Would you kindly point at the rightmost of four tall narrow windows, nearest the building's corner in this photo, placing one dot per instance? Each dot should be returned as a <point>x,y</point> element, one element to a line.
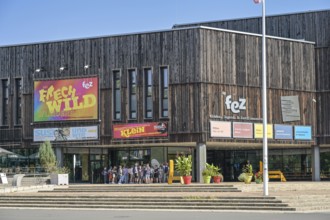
<point>164,92</point>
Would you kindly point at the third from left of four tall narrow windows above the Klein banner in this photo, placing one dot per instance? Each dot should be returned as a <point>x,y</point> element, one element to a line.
<point>147,93</point>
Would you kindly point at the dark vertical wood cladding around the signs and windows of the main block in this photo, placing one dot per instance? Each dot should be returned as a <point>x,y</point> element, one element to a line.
<point>202,63</point>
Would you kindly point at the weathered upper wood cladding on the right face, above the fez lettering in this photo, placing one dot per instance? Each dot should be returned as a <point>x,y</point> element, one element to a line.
<point>235,59</point>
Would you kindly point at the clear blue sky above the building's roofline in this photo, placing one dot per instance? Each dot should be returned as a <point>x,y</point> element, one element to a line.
<point>33,21</point>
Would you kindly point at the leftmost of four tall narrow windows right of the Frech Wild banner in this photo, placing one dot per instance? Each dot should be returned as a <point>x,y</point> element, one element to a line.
<point>116,95</point>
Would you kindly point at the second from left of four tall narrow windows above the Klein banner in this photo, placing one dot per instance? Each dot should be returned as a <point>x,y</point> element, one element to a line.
<point>132,88</point>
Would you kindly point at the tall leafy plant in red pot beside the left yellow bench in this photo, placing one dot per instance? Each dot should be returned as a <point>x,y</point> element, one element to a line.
<point>183,165</point>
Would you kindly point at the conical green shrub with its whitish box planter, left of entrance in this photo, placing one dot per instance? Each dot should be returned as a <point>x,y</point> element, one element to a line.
<point>58,175</point>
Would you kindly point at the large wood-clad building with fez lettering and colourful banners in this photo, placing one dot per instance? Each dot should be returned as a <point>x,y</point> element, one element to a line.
<point>193,89</point>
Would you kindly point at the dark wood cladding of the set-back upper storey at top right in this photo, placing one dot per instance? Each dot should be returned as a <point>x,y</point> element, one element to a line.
<point>311,26</point>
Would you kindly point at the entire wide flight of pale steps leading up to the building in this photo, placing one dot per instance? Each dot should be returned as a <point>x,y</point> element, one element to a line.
<point>147,197</point>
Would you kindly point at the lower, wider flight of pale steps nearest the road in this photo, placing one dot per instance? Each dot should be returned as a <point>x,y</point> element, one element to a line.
<point>96,202</point>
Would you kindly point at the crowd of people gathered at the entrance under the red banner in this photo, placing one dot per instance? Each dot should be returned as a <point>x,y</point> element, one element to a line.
<point>136,174</point>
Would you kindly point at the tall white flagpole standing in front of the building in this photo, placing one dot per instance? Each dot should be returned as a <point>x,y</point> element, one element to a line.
<point>264,101</point>
